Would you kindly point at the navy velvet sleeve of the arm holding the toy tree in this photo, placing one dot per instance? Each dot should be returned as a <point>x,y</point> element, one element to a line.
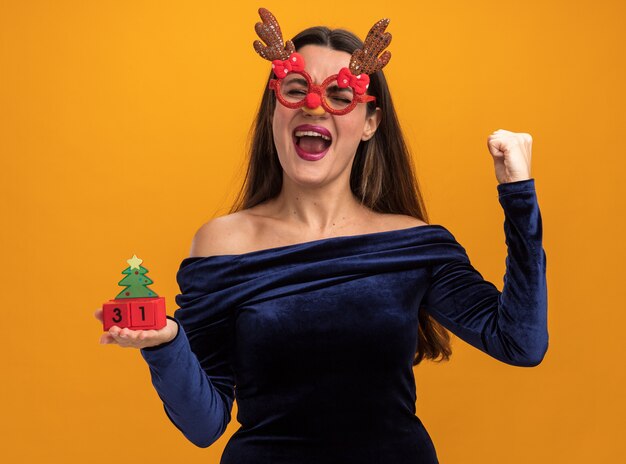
<point>193,373</point>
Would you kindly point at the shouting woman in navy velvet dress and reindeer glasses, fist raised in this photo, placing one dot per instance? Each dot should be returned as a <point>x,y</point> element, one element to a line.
<point>312,301</point>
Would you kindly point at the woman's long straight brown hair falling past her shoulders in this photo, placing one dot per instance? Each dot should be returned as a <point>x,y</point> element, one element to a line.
<point>382,175</point>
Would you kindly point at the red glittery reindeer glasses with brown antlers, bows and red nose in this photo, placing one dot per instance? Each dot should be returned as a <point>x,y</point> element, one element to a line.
<point>337,94</point>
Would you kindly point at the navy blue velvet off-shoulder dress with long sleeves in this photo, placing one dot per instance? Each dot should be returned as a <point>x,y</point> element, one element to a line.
<point>316,340</point>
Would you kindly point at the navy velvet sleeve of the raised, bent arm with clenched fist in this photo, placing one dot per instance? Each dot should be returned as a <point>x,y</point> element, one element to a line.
<point>511,325</point>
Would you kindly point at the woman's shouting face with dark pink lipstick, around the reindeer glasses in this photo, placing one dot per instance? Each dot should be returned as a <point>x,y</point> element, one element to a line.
<point>307,158</point>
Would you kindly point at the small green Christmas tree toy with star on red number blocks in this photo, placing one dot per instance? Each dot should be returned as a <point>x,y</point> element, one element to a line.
<point>137,306</point>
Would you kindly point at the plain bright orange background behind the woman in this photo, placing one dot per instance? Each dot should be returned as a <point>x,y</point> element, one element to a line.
<point>122,130</point>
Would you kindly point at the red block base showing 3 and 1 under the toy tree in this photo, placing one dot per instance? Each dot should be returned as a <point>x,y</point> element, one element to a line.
<point>134,313</point>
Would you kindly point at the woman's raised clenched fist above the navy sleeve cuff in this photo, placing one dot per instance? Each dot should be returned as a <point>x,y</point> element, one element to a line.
<point>511,153</point>
